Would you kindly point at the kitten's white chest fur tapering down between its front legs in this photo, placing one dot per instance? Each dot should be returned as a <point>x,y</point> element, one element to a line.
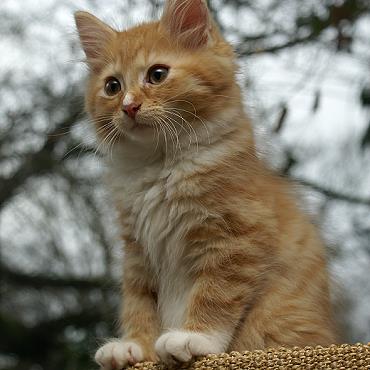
<point>158,223</point>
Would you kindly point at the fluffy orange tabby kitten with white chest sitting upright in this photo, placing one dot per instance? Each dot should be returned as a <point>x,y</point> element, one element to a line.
<point>218,257</point>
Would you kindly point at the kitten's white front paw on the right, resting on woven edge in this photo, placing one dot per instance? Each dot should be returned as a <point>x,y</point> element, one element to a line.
<point>183,346</point>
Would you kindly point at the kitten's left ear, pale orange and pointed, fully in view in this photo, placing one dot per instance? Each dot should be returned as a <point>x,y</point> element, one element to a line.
<point>95,35</point>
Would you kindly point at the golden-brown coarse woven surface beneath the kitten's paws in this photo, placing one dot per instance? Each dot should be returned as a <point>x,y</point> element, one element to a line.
<point>339,357</point>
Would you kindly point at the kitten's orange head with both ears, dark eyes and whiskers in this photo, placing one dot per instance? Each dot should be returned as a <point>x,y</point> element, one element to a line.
<point>164,78</point>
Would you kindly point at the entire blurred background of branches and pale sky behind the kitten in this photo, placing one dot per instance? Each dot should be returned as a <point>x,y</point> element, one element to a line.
<point>305,70</point>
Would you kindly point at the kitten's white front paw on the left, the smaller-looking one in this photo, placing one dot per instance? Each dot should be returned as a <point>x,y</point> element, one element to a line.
<point>115,355</point>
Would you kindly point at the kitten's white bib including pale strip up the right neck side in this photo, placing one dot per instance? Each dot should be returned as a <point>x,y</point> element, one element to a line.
<point>150,192</point>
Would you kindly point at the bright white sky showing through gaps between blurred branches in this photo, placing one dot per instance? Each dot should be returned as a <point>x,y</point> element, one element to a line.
<point>326,141</point>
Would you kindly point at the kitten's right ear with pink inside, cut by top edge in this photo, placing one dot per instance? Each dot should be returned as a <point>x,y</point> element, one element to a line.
<point>188,20</point>
